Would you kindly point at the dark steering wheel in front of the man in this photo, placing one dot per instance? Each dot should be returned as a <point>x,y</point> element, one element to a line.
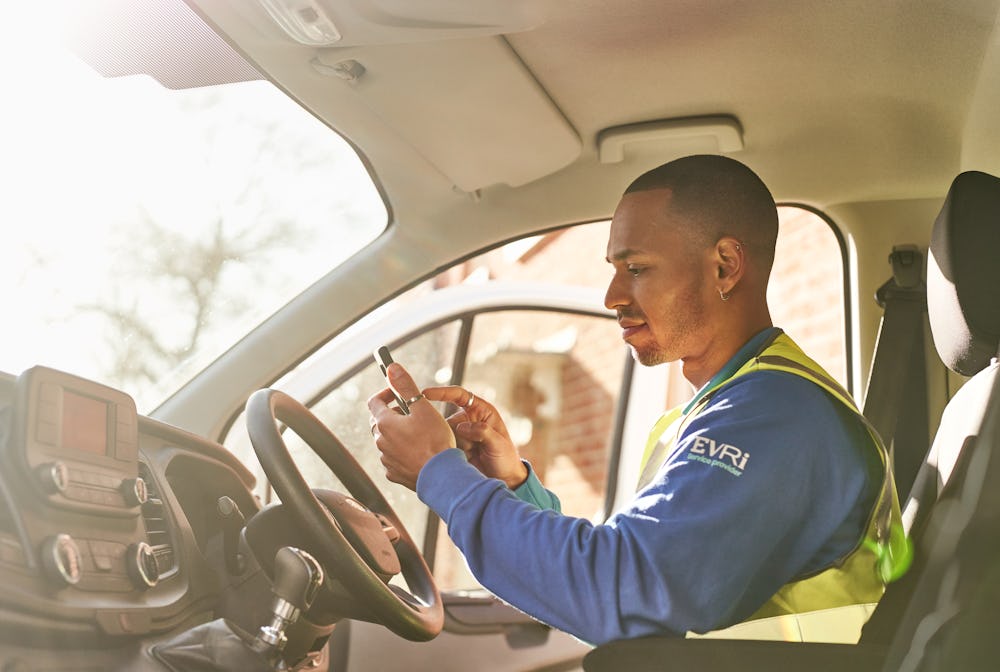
<point>352,547</point>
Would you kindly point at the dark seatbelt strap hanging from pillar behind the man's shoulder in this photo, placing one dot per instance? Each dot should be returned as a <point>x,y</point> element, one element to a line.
<point>896,399</point>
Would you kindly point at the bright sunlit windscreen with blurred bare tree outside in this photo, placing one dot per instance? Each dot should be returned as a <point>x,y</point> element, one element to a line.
<point>146,228</point>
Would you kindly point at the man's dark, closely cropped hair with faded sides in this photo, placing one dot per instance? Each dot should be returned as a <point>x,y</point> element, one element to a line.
<point>720,197</point>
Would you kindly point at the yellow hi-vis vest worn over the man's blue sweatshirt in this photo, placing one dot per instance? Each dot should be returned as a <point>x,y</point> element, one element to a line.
<point>832,604</point>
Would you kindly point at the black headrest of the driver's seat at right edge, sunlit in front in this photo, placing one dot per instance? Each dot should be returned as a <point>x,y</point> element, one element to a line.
<point>963,276</point>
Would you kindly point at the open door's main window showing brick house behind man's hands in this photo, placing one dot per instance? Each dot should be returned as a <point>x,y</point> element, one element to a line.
<point>556,378</point>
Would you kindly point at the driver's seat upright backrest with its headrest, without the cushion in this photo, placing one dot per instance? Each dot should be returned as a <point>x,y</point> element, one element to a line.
<point>955,526</point>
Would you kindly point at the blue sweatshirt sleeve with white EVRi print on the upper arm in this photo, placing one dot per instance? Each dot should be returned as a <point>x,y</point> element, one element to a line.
<point>768,481</point>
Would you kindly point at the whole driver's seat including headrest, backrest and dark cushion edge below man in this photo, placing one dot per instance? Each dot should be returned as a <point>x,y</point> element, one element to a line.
<point>963,297</point>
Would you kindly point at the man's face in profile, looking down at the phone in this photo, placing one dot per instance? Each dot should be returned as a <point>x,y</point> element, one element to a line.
<point>662,283</point>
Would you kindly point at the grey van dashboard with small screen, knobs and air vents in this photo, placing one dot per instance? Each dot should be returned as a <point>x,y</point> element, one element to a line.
<point>116,530</point>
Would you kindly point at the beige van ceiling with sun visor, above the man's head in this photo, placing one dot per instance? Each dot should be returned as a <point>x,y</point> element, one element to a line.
<point>836,102</point>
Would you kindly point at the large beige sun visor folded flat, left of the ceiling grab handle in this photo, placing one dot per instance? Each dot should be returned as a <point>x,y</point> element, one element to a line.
<point>425,91</point>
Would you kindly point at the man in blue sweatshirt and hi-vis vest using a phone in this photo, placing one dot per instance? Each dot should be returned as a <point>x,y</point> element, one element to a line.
<point>766,495</point>
